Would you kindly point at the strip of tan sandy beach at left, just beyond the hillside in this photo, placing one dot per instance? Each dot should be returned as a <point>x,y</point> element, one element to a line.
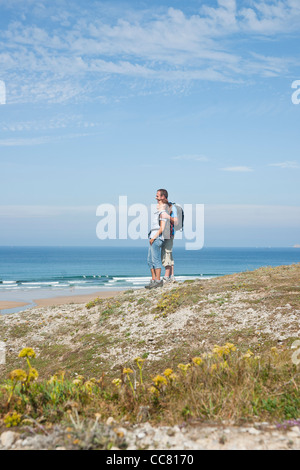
<point>54,301</point>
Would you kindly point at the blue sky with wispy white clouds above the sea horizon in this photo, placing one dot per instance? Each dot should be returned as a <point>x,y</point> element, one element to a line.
<point>102,99</point>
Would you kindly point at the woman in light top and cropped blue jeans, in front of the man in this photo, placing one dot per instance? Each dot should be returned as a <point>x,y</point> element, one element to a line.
<point>156,238</point>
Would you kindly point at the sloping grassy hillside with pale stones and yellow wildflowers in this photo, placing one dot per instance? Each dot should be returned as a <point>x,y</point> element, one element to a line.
<point>230,336</point>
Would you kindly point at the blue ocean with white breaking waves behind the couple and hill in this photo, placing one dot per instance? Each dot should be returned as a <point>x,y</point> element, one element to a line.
<point>28,273</point>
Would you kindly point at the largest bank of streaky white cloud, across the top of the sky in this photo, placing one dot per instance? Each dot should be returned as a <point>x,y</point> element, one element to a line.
<point>51,57</point>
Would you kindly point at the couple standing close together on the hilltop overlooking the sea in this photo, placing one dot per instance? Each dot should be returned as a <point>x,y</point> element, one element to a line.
<point>161,238</point>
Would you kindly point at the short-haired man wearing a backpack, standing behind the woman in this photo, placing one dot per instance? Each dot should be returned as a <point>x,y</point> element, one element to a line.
<point>169,233</point>
